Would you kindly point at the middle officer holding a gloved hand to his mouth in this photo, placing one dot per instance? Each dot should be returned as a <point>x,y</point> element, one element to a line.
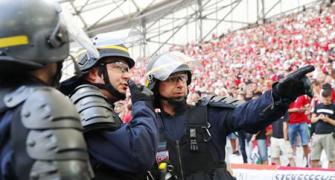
<point>117,151</point>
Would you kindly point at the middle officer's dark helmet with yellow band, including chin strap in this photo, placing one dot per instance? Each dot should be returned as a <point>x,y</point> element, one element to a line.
<point>87,62</point>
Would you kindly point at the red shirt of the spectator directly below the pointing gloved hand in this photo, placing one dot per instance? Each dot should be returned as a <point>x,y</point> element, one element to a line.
<point>299,117</point>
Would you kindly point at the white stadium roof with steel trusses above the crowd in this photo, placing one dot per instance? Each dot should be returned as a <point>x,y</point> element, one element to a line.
<point>152,26</point>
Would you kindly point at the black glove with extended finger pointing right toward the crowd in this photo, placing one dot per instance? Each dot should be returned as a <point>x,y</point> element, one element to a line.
<point>293,85</point>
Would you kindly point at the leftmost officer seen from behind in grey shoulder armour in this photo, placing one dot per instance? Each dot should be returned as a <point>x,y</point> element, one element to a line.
<point>40,131</point>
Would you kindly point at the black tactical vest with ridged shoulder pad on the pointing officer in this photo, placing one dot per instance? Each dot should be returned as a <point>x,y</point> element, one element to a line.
<point>195,145</point>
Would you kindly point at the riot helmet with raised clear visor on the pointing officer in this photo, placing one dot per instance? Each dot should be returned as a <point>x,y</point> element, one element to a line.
<point>161,67</point>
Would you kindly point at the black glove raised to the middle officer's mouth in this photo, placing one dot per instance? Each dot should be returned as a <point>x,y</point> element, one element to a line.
<point>140,93</point>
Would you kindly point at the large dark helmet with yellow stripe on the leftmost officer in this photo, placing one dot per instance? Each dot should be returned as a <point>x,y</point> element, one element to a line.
<point>32,35</point>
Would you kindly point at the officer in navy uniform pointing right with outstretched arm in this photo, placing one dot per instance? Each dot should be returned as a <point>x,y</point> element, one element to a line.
<point>194,137</point>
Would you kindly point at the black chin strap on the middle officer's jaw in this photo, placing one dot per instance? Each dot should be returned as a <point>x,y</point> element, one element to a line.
<point>108,85</point>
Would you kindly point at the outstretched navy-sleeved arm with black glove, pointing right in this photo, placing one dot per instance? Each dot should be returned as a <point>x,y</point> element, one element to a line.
<point>257,114</point>
